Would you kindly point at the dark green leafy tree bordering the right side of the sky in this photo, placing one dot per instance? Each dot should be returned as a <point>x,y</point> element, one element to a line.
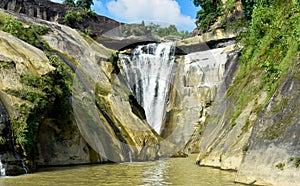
<point>209,12</point>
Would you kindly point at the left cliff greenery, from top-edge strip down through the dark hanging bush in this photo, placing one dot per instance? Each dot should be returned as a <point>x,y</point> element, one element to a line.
<point>45,96</point>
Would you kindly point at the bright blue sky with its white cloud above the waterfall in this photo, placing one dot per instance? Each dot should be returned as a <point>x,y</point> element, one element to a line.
<point>181,13</point>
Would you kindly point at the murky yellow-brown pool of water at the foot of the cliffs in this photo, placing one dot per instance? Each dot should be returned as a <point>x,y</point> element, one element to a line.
<point>179,171</point>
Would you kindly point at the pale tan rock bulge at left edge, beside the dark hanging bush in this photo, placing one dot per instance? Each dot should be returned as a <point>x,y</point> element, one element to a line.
<point>16,58</point>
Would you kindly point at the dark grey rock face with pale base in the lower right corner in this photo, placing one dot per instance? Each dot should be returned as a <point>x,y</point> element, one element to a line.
<point>273,156</point>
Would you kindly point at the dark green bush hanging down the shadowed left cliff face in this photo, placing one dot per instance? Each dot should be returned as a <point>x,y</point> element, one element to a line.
<point>44,96</point>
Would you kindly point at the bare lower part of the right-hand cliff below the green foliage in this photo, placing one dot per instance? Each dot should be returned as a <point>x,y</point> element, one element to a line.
<point>259,139</point>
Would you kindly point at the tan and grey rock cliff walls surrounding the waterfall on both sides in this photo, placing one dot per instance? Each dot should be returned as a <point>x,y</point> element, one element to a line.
<point>233,121</point>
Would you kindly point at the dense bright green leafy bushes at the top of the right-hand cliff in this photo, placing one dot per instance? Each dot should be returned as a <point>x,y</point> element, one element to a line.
<point>273,32</point>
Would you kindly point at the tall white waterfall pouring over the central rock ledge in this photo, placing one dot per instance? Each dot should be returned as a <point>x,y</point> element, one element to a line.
<point>148,72</point>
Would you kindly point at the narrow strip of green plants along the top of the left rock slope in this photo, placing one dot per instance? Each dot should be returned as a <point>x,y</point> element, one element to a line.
<point>26,32</point>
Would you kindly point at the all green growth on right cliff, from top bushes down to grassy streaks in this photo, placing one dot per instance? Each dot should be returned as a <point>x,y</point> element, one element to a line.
<point>270,50</point>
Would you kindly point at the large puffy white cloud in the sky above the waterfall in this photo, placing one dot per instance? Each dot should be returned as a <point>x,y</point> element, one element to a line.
<point>164,12</point>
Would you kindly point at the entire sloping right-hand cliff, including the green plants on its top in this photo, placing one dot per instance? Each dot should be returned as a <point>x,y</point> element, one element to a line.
<point>252,127</point>
